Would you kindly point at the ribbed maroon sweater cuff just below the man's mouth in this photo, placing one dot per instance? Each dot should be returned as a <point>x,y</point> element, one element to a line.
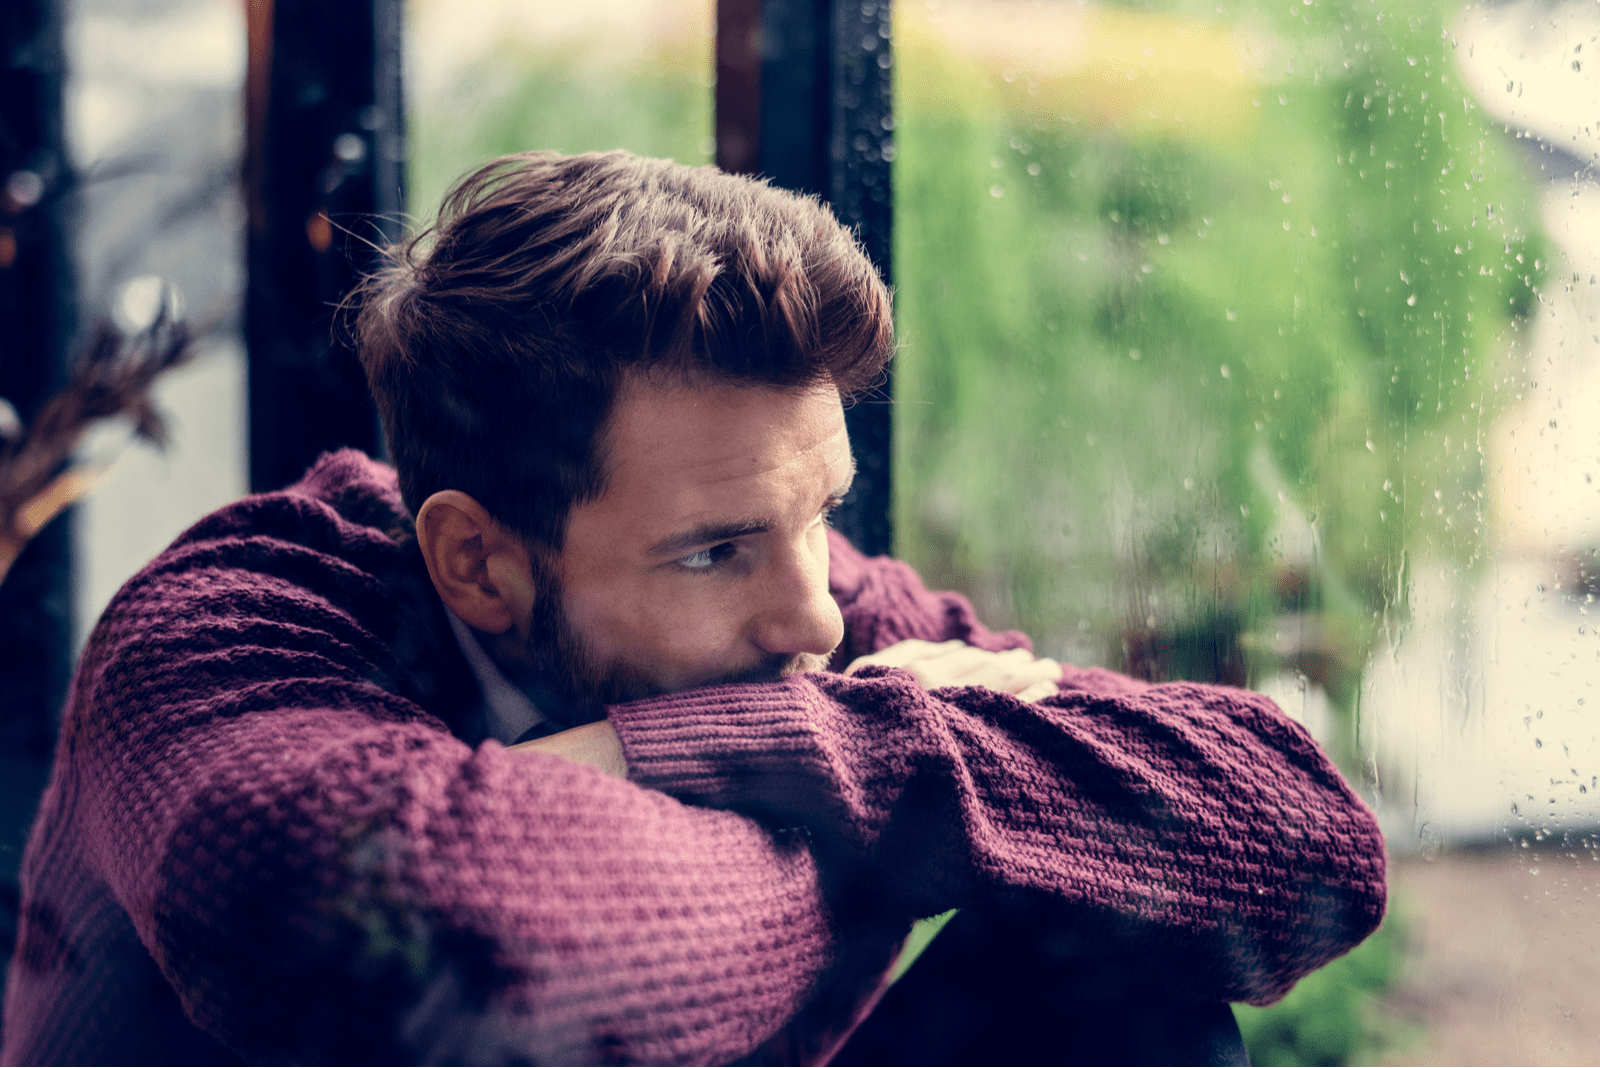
<point>730,747</point>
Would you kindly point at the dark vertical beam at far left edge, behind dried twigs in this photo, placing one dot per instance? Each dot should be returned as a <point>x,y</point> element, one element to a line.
<point>36,327</point>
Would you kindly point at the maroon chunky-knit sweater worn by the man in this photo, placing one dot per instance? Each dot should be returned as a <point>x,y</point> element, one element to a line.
<point>274,831</point>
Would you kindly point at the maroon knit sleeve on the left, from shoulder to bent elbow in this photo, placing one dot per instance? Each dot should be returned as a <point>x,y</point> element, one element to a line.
<point>324,874</point>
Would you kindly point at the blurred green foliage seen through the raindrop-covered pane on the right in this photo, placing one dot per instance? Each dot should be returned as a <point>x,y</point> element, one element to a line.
<point>1161,386</point>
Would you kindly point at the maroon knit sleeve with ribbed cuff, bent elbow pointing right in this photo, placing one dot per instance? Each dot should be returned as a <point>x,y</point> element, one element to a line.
<point>1193,829</point>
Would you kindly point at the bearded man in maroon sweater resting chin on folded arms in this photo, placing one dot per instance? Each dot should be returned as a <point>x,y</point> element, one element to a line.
<point>569,770</point>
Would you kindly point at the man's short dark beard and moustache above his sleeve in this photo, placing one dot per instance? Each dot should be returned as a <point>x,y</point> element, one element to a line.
<point>572,685</point>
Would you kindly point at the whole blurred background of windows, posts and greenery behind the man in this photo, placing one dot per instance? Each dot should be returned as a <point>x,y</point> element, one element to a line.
<point>1250,341</point>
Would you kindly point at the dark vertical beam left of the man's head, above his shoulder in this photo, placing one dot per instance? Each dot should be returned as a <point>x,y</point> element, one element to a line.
<point>326,146</point>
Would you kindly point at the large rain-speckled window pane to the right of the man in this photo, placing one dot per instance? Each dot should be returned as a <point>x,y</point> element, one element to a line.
<point>1257,343</point>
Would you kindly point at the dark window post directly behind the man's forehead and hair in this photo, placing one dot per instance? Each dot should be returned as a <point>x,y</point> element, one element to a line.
<point>807,82</point>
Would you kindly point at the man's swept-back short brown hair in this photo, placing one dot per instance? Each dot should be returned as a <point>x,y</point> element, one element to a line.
<point>497,340</point>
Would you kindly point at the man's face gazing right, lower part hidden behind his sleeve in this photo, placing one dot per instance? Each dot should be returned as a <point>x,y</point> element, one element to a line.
<point>706,559</point>
